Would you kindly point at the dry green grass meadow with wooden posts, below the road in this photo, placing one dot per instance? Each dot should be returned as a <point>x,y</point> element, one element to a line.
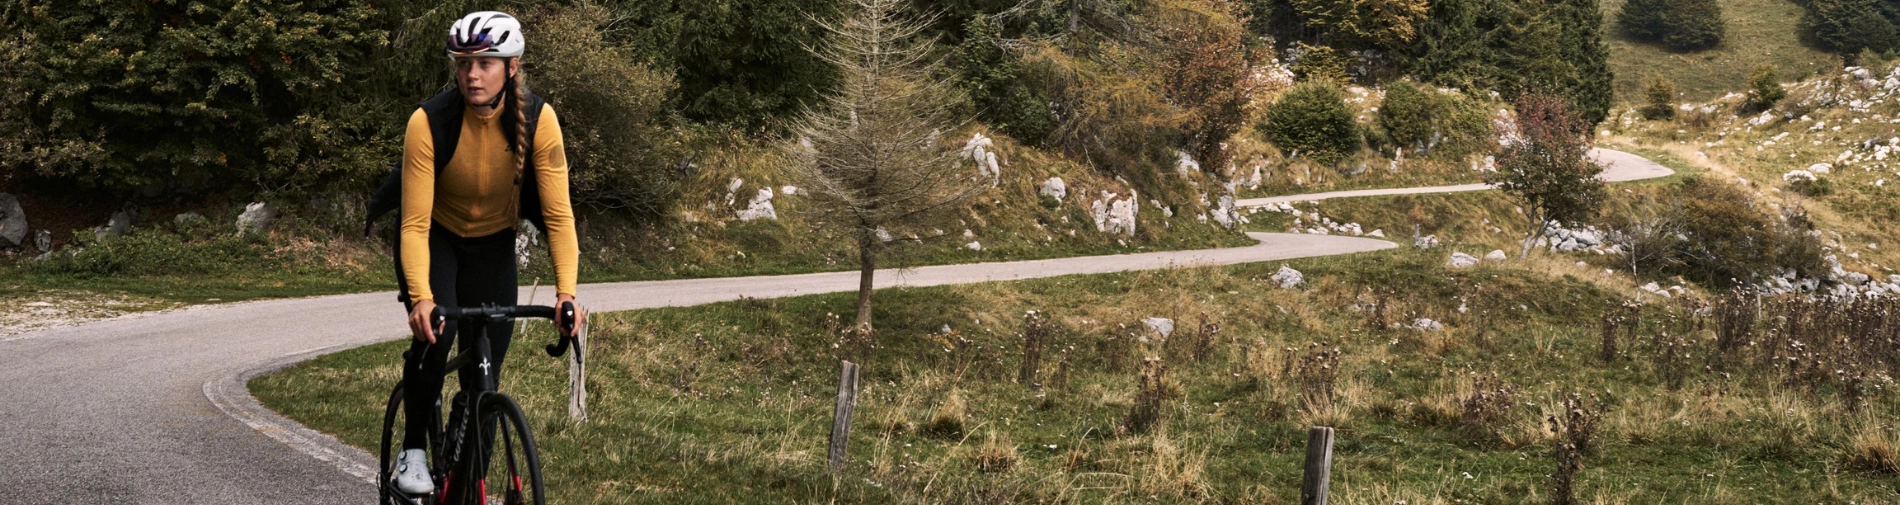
<point>731,403</point>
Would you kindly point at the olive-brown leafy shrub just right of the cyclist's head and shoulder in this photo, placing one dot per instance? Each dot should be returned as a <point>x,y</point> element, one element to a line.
<point>615,143</point>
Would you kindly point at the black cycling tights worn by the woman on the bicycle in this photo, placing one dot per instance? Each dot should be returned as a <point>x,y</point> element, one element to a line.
<point>463,274</point>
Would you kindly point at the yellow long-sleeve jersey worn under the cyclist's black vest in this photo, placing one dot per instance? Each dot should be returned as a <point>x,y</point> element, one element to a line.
<point>470,198</point>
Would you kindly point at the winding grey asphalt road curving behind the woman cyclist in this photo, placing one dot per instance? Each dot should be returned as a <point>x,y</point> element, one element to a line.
<point>153,409</point>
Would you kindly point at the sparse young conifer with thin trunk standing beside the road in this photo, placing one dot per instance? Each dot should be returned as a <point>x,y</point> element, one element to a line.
<point>873,155</point>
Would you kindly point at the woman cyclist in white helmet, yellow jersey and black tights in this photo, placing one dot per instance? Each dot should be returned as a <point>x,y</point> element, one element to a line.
<point>461,214</point>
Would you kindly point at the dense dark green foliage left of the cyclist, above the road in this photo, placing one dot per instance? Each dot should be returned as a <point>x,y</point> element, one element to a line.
<point>199,96</point>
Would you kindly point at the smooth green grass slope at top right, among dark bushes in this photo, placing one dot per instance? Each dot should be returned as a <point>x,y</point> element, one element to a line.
<point>1760,31</point>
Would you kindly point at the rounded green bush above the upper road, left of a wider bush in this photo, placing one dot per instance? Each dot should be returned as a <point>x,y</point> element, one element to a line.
<point>1314,121</point>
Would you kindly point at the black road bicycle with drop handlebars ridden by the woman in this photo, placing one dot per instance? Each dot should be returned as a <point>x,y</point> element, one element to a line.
<point>463,458</point>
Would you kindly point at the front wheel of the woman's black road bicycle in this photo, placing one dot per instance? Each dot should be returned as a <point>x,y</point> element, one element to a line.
<point>506,468</point>
